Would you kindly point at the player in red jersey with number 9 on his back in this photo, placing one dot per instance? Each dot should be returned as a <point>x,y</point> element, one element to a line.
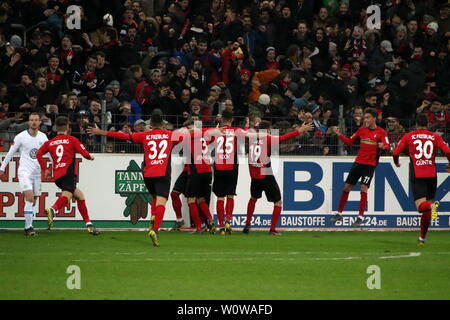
<point>62,149</point>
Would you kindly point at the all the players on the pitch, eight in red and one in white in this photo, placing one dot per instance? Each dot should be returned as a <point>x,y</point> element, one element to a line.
<point>222,168</point>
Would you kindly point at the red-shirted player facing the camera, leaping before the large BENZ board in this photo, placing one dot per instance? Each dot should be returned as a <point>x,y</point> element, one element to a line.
<point>372,140</point>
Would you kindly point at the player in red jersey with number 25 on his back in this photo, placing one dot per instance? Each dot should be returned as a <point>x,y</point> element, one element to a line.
<point>226,169</point>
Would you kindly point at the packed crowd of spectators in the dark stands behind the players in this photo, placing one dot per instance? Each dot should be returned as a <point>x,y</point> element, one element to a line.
<point>287,61</point>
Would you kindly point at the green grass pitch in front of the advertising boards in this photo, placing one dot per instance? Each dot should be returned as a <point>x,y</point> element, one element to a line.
<point>297,265</point>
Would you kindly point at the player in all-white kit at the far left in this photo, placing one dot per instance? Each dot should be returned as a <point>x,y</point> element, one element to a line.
<point>28,143</point>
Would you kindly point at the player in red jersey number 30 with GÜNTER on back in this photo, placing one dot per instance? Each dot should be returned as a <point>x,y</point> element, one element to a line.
<point>422,145</point>
